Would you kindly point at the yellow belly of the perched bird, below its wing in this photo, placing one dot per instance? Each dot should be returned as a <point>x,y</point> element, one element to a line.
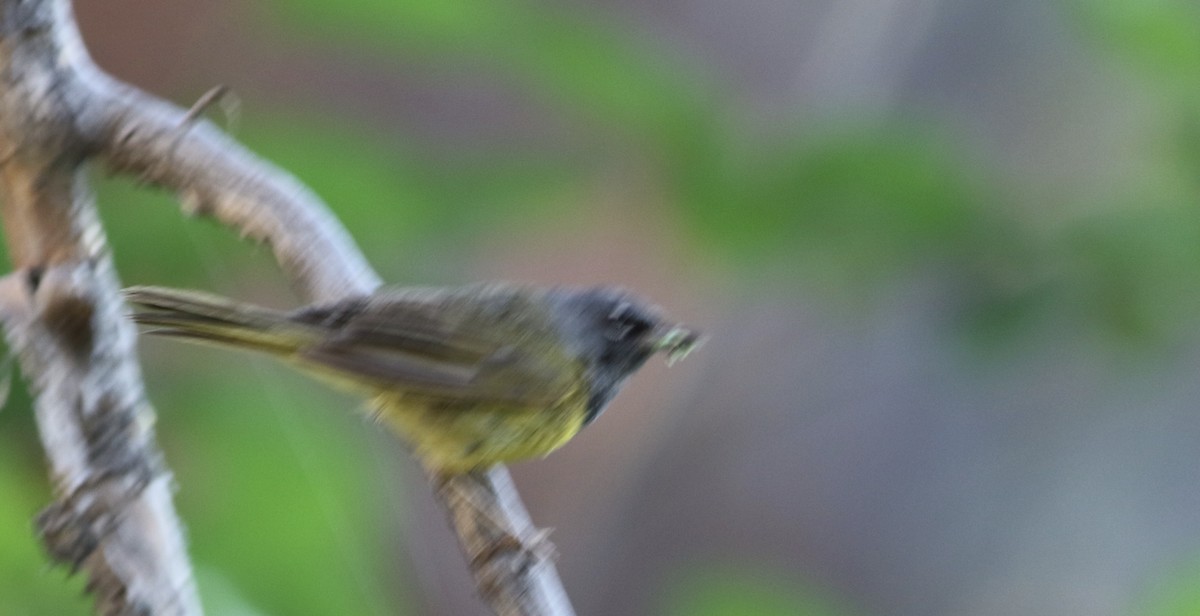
<point>465,436</point>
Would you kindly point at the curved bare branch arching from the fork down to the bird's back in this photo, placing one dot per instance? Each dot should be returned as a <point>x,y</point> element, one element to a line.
<point>217,177</point>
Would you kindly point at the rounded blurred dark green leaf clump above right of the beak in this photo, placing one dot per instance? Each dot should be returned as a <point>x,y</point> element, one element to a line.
<point>867,201</point>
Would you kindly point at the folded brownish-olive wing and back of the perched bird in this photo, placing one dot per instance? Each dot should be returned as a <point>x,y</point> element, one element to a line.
<point>447,349</point>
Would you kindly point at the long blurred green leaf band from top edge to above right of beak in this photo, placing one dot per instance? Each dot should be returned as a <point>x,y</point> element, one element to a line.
<point>862,199</point>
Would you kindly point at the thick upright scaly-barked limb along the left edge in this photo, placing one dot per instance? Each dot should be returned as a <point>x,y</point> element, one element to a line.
<point>62,312</point>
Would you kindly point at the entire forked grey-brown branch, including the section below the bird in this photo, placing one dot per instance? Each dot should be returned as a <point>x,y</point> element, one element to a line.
<point>56,229</point>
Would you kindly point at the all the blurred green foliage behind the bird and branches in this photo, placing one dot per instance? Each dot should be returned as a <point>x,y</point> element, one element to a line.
<point>283,499</point>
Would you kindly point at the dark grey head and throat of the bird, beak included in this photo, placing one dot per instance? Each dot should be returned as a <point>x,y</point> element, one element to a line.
<point>615,333</point>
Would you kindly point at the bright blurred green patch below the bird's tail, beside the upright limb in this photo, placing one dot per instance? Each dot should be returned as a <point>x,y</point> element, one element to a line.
<point>278,489</point>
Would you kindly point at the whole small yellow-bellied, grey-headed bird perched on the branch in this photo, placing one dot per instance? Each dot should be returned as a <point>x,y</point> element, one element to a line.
<point>470,378</point>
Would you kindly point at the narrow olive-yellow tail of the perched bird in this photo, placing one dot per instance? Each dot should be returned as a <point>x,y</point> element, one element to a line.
<point>202,318</point>
